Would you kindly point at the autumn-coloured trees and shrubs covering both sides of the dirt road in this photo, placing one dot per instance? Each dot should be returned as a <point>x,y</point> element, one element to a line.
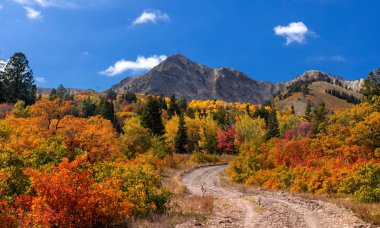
<point>105,159</point>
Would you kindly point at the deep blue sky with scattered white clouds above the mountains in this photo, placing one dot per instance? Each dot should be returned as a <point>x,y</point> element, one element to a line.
<point>95,44</point>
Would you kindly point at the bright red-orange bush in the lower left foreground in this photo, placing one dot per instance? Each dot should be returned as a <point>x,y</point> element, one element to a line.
<point>69,196</point>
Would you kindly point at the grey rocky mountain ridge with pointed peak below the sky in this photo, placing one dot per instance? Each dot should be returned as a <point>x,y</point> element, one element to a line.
<point>182,77</point>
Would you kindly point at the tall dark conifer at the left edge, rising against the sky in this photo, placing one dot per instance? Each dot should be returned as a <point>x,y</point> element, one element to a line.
<point>17,81</point>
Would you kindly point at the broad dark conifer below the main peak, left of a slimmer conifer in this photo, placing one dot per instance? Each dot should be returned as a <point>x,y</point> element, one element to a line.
<point>151,116</point>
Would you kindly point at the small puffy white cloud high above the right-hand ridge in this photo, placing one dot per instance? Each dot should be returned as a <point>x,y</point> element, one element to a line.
<point>293,32</point>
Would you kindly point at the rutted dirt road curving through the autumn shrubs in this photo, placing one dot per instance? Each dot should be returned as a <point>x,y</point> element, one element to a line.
<point>233,208</point>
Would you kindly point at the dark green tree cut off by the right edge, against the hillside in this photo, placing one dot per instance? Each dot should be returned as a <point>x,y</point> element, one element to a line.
<point>371,86</point>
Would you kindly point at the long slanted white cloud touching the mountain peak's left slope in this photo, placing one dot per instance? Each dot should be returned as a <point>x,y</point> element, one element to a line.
<point>141,64</point>
